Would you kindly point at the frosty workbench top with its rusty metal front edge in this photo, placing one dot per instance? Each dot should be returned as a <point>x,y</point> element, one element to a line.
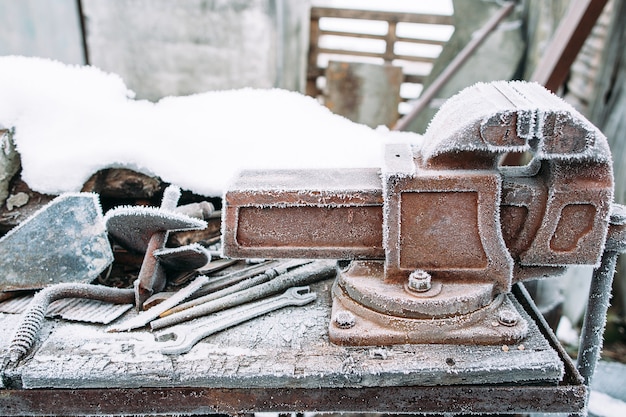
<point>283,362</point>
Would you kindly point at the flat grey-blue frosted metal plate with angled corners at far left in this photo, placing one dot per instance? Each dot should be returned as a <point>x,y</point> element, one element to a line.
<point>65,241</point>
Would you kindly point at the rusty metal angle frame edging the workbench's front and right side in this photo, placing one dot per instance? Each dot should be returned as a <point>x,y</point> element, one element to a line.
<point>566,397</point>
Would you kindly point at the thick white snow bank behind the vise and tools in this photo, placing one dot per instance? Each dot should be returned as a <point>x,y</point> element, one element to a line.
<point>71,121</point>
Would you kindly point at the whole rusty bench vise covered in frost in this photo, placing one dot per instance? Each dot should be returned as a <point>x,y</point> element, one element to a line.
<point>438,236</point>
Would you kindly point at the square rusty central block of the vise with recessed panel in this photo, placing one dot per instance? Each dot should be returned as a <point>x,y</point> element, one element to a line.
<point>427,214</point>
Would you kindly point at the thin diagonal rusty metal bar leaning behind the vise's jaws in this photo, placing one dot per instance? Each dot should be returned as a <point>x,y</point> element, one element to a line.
<point>430,92</point>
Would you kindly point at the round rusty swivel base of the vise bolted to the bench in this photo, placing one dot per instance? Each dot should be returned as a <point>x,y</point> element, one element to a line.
<point>461,313</point>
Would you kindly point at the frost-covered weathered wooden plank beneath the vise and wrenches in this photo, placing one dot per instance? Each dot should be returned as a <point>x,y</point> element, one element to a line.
<point>285,349</point>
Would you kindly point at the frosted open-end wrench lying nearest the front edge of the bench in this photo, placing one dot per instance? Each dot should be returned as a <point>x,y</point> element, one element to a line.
<point>186,336</point>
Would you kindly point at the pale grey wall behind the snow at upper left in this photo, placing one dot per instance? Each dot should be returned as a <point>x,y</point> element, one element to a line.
<point>164,47</point>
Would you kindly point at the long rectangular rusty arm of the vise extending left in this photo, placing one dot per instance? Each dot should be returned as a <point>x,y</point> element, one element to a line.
<point>305,214</point>
